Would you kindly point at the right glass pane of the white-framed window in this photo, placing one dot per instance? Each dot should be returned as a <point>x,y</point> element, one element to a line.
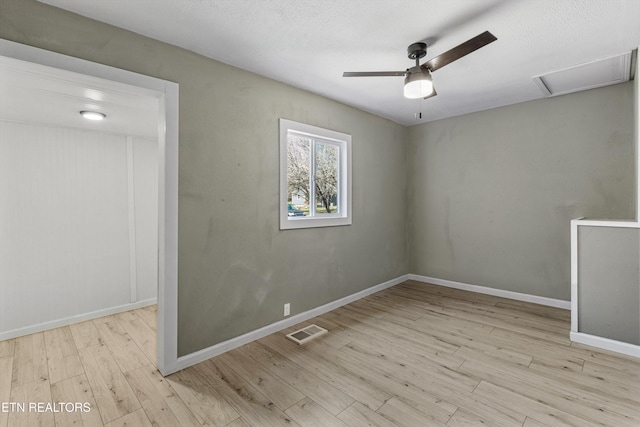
<point>326,179</point>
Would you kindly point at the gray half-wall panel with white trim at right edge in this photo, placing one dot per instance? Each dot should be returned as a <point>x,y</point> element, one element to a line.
<point>608,277</point>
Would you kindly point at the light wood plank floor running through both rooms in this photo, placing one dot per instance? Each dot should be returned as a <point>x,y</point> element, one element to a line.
<point>412,355</point>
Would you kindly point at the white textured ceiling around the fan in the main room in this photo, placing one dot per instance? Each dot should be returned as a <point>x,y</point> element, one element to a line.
<point>309,43</point>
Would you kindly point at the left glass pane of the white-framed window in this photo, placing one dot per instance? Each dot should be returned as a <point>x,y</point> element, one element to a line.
<point>298,175</point>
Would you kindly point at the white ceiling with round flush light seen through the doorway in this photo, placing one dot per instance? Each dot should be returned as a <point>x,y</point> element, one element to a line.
<point>33,93</point>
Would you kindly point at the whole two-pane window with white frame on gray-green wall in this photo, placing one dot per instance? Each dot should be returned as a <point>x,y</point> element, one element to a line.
<point>315,176</point>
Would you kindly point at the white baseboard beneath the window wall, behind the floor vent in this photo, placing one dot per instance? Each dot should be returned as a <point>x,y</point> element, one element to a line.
<point>209,352</point>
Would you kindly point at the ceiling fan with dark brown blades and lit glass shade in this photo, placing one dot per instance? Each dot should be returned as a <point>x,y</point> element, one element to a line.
<point>418,82</point>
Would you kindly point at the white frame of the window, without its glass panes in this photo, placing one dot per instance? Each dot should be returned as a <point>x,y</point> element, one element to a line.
<point>343,142</point>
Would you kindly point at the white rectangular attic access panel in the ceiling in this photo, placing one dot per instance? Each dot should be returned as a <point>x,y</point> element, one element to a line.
<point>589,75</point>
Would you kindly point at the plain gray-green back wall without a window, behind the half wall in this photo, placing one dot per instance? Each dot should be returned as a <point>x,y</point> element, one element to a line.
<point>491,194</point>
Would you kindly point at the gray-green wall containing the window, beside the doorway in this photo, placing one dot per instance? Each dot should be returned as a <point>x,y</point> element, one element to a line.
<point>236,268</point>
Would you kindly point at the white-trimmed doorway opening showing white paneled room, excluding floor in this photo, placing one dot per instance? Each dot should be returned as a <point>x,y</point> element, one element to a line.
<point>133,250</point>
